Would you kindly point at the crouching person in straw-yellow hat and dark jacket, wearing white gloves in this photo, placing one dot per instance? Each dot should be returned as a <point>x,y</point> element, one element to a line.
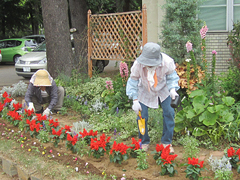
<point>42,89</point>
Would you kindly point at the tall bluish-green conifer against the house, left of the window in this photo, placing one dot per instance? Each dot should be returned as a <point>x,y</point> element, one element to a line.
<point>179,26</point>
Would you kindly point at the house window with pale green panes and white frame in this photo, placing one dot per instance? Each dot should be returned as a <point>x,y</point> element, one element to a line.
<point>219,15</point>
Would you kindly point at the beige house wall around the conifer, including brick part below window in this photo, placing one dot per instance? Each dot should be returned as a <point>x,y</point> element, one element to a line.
<point>214,41</point>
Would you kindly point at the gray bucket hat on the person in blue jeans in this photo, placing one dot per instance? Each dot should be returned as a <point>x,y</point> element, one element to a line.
<point>151,55</point>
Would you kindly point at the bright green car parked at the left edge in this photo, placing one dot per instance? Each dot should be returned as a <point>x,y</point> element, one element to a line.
<point>12,49</point>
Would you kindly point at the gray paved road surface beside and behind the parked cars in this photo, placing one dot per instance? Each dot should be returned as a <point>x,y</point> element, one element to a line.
<point>9,77</point>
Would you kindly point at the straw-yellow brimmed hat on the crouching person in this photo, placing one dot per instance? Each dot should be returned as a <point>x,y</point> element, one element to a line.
<point>42,78</point>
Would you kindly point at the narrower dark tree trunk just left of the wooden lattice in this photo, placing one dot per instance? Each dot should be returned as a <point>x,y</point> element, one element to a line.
<point>78,11</point>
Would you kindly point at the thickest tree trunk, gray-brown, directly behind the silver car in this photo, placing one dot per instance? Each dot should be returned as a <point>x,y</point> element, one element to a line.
<point>56,25</point>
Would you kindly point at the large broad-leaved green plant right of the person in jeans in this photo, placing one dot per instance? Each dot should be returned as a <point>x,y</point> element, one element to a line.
<point>206,116</point>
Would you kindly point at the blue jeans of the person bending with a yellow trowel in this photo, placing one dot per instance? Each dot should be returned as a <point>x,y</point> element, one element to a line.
<point>168,122</point>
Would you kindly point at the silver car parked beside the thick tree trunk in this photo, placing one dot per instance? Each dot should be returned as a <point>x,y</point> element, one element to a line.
<point>29,63</point>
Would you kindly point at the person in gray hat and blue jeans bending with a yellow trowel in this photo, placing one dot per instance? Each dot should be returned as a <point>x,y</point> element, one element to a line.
<point>153,81</point>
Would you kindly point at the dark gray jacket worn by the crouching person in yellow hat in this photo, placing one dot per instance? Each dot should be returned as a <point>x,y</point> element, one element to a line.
<point>36,91</point>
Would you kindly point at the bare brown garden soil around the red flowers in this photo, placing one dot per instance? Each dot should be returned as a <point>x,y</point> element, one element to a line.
<point>104,166</point>
